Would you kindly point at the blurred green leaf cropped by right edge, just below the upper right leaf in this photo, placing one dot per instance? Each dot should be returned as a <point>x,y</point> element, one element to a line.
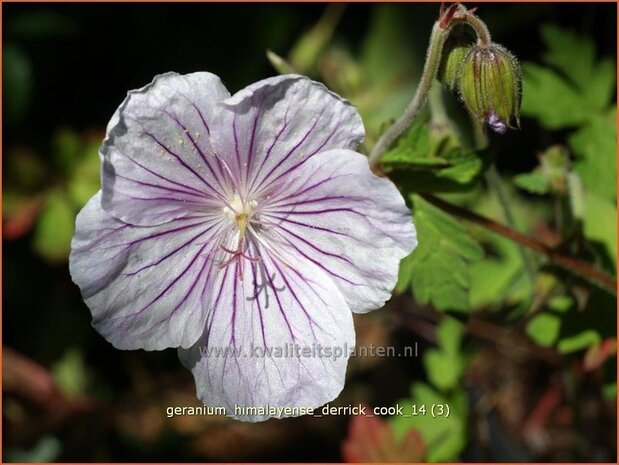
<point>595,145</point>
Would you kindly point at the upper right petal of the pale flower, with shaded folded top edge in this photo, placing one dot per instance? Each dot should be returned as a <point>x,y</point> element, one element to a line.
<point>273,125</point>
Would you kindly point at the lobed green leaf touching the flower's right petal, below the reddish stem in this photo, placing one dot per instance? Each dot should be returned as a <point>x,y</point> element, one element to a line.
<point>439,271</point>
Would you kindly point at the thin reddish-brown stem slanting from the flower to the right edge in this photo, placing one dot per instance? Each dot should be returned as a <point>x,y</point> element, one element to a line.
<point>572,265</point>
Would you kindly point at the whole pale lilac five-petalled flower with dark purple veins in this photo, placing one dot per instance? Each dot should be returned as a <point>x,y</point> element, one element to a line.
<point>239,222</point>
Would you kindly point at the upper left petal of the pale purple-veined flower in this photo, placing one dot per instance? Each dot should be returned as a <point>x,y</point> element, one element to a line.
<point>157,158</point>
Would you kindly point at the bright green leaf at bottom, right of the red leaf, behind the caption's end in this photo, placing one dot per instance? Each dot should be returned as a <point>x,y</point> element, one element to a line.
<point>445,436</point>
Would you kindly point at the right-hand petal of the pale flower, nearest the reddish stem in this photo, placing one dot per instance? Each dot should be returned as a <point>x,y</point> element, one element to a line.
<point>350,223</point>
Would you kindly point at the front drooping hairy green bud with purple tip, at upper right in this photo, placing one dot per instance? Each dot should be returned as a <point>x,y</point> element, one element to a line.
<point>489,86</point>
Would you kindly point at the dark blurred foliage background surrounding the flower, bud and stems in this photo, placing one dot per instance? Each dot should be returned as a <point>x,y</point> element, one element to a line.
<point>522,351</point>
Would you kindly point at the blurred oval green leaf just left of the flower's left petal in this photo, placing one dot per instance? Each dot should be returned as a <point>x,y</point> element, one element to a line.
<point>54,229</point>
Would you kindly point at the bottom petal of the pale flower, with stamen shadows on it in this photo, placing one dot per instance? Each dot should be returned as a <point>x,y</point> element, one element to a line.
<point>247,355</point>
